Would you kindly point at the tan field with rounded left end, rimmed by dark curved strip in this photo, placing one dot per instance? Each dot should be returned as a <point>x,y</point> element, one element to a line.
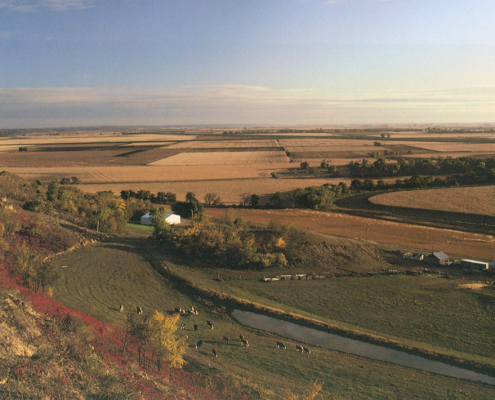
<point>472,200</point>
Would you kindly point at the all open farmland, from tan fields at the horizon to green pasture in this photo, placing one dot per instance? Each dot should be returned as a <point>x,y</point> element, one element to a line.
<point>434,311</point>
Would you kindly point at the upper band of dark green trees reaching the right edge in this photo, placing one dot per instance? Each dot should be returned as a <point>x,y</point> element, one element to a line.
<point>422,166</point>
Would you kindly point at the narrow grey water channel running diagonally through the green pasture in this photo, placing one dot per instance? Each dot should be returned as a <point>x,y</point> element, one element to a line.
<point>334,342</point>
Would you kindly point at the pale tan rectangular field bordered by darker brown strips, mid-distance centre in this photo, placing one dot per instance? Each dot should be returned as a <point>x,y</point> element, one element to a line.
<point>225,158</point>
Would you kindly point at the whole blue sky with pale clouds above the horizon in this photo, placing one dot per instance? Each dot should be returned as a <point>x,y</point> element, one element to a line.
<point>251,62</point>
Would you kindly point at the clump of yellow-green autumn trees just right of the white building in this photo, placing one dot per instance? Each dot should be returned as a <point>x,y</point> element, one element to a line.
<point>232,244</point>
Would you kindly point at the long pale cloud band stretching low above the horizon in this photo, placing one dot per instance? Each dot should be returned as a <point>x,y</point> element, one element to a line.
<point>232,104</point>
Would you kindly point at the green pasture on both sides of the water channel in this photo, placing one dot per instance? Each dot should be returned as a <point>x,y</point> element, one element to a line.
<point>99,278</point>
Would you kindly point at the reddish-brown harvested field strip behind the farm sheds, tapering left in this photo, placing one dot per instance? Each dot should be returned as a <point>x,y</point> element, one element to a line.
<point>400,235</point>
